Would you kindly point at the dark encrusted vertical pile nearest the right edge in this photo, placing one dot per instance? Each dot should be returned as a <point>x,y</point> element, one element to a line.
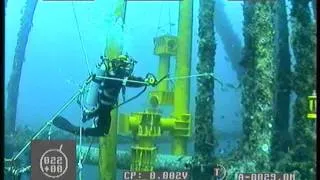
<point>303,45</point>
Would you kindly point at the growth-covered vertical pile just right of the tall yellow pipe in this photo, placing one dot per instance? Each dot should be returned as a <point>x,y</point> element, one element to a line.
<point>204,135</point>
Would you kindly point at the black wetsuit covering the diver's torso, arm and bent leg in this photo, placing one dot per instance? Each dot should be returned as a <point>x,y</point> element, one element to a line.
<point>108,98</point>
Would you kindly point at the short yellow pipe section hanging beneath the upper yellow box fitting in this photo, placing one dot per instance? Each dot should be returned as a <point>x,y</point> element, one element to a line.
<point>164,65</point>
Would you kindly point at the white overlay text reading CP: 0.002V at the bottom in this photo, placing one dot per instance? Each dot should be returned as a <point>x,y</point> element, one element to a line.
<point>159,175</point>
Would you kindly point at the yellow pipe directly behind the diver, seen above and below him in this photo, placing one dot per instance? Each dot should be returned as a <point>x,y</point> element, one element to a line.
<point>108,144</point>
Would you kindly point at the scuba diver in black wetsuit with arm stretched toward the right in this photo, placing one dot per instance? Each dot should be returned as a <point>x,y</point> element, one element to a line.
<point>107,95</point>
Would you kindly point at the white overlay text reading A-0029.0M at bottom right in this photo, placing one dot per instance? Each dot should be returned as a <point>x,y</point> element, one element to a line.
<point>266,176</point>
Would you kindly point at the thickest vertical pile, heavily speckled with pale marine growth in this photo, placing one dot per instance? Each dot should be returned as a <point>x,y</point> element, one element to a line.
<point>258,84</point>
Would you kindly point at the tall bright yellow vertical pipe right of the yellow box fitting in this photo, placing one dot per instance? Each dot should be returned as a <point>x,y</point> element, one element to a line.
<point>183,64</point>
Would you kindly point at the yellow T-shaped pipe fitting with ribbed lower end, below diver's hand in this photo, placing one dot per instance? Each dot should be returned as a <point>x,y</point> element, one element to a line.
<point>146,127</point>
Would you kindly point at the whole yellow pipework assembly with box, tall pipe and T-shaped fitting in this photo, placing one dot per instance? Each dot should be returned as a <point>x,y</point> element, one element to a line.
<point>147,126</point>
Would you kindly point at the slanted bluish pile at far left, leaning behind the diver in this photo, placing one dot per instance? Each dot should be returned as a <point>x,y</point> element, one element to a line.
<point>19,58</point>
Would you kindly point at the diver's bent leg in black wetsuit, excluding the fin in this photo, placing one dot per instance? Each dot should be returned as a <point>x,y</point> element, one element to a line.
<point>103,125</point>
